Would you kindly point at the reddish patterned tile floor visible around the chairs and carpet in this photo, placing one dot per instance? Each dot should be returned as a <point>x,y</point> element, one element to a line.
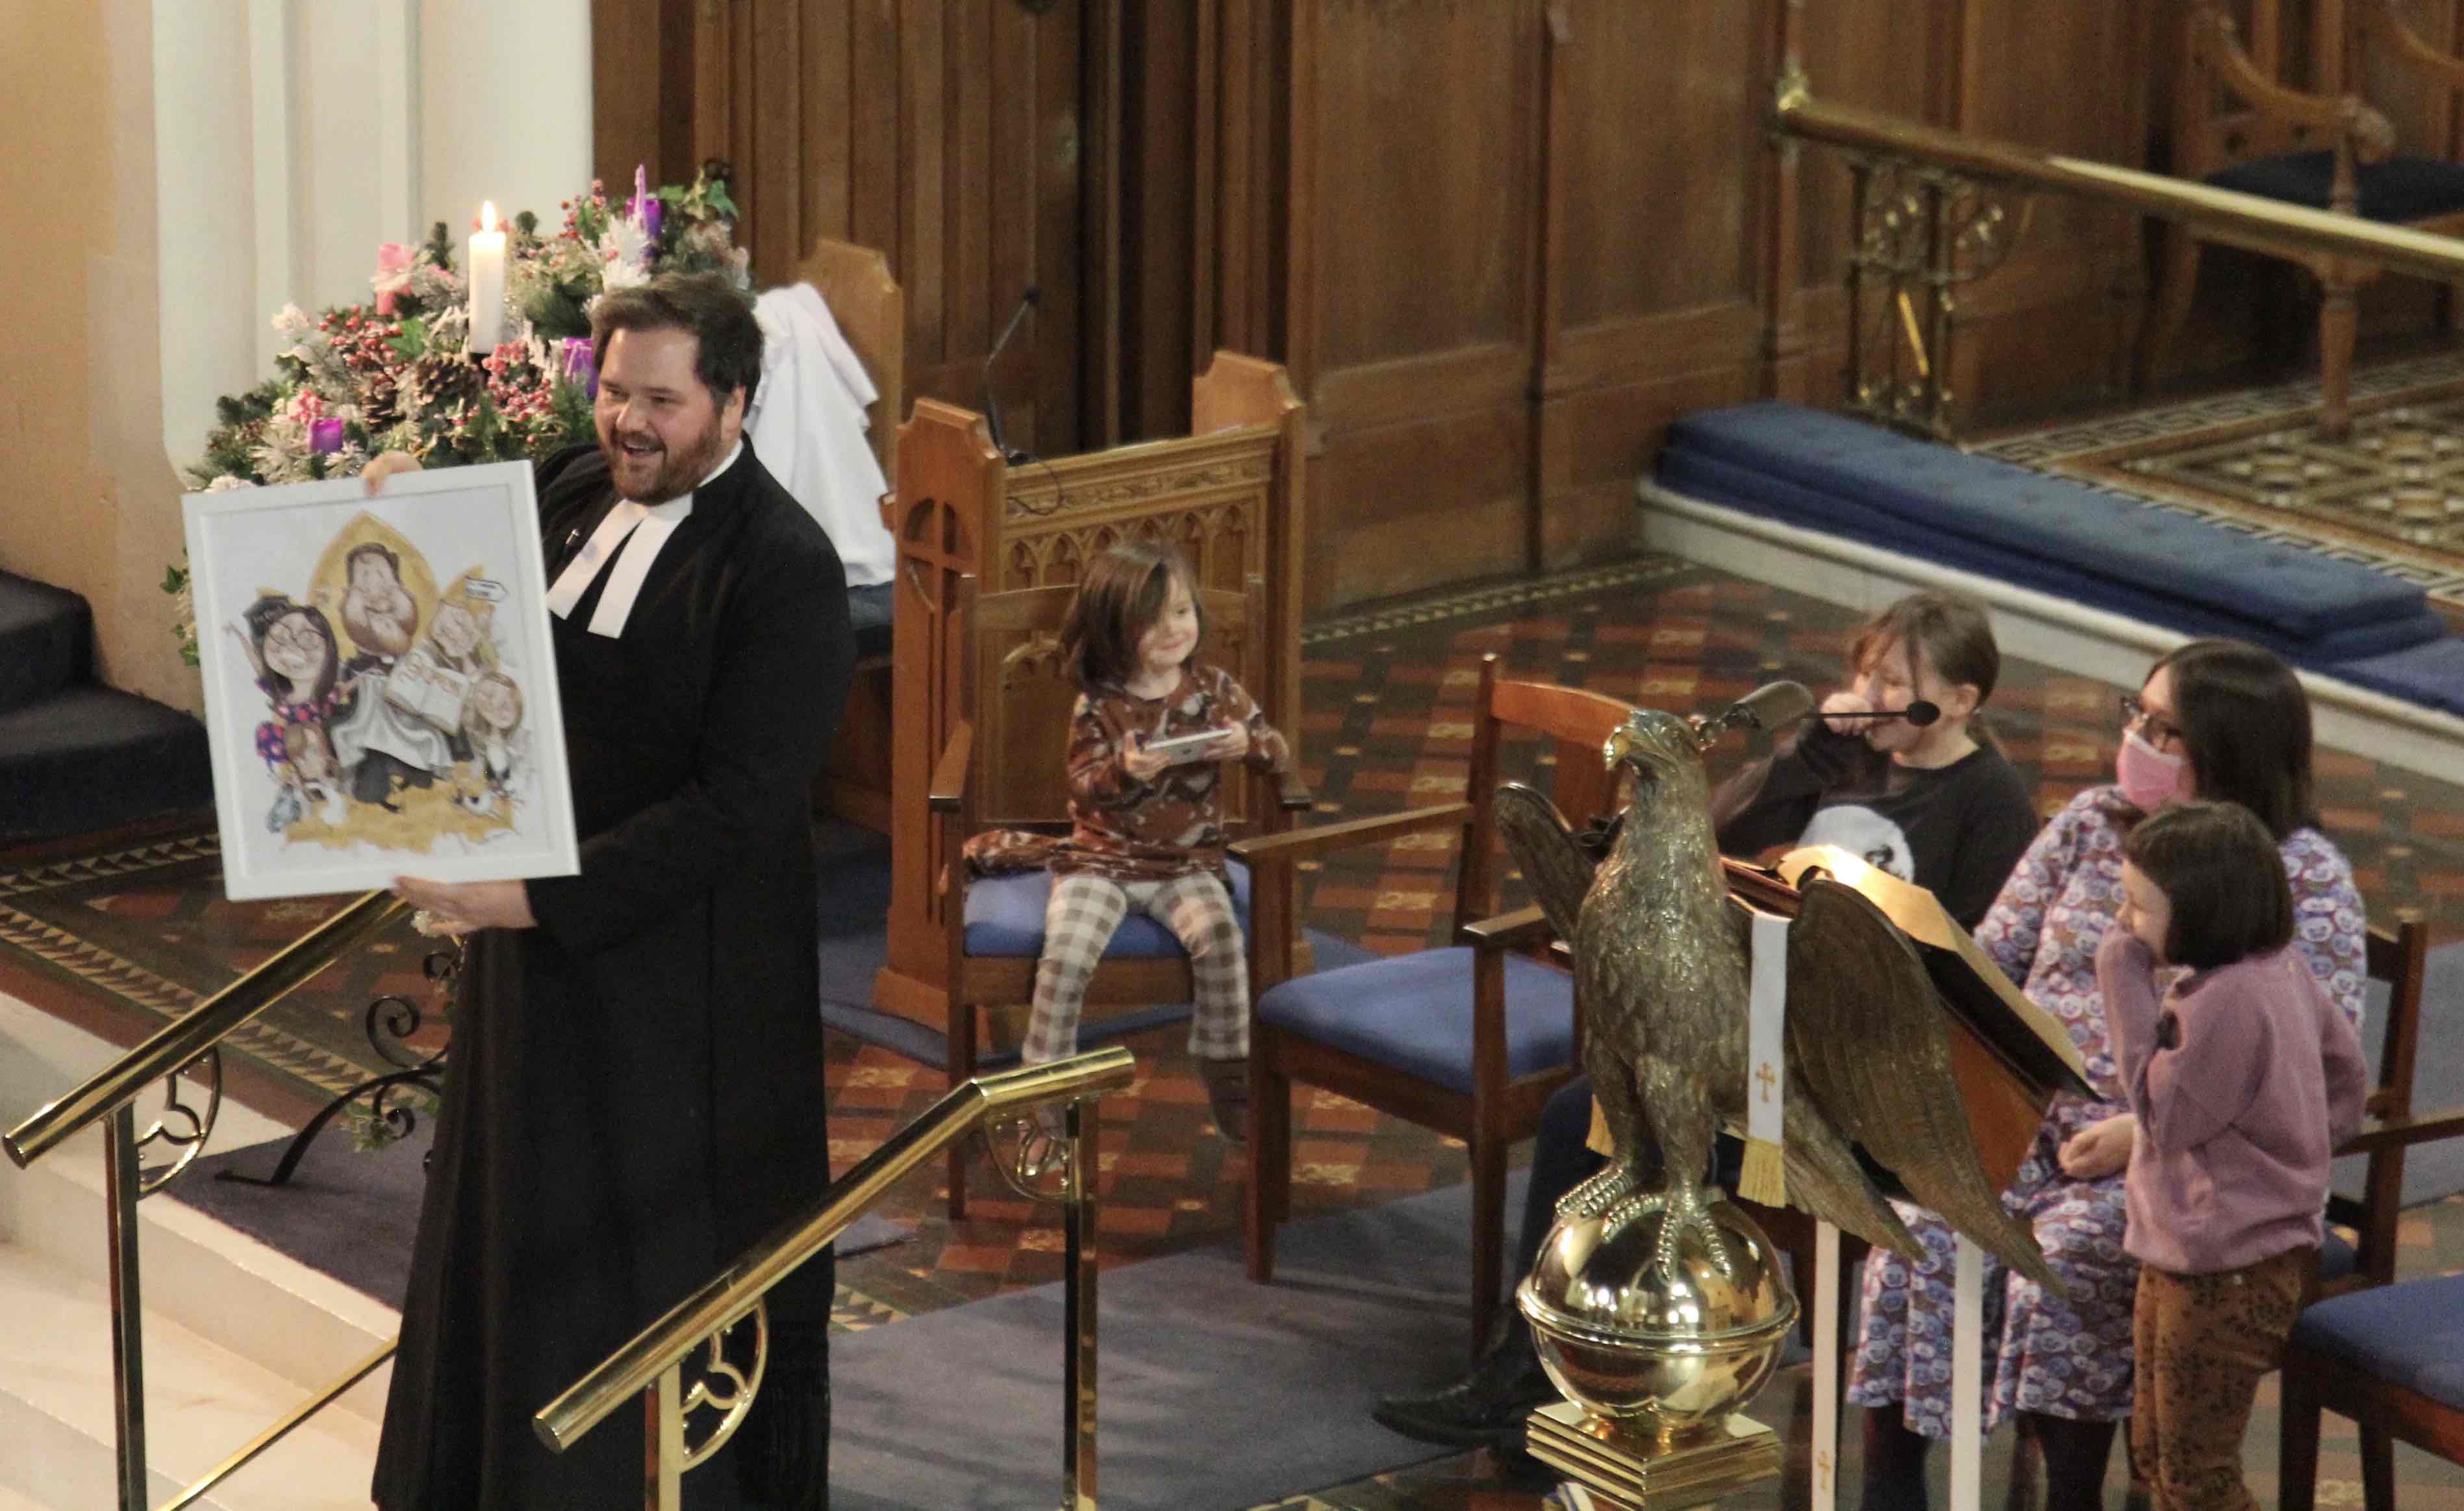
<point>1386,723</point>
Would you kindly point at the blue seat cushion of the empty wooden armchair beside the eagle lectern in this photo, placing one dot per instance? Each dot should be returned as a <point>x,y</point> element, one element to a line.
<point>1413,1012</point>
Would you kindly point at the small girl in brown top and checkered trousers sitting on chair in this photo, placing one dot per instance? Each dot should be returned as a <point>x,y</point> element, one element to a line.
<point>1147,817</point>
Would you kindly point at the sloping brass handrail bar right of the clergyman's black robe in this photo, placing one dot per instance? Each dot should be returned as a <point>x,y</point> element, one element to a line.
<point>736,1290</point>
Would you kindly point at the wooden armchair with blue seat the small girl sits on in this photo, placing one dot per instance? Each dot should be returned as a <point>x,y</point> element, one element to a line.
<point>1021,696</point>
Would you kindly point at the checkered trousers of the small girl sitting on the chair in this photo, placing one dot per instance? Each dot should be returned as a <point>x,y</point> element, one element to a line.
<point>1080,921</point>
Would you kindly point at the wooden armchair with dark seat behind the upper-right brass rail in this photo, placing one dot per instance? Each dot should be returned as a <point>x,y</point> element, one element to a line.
<point>2325,152</point>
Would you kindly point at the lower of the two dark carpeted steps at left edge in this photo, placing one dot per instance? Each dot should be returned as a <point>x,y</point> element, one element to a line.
<point>95,758</point>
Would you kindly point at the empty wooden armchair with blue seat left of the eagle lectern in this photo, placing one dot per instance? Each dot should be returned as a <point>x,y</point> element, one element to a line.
<point>1467,1039</point>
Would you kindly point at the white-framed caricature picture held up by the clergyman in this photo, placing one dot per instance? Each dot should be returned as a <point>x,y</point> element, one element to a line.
<point>381,689</point>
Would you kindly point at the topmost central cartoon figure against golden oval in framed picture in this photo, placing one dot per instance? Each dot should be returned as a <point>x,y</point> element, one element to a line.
<point>398,723</point>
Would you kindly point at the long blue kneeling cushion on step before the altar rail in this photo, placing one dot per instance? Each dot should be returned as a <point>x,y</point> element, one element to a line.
<point>1935,502</point>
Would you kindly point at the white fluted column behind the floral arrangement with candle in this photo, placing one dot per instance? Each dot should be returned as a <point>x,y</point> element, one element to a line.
<point>294,137</point>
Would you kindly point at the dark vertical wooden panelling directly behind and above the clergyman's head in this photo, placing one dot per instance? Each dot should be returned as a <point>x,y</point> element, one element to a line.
<point>942,132</point>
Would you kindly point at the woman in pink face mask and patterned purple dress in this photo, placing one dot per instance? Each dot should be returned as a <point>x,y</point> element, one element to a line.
<point>2211,721</point>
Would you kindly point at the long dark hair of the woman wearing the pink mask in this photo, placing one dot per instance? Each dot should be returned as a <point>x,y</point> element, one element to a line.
<point>2246,726</point>
